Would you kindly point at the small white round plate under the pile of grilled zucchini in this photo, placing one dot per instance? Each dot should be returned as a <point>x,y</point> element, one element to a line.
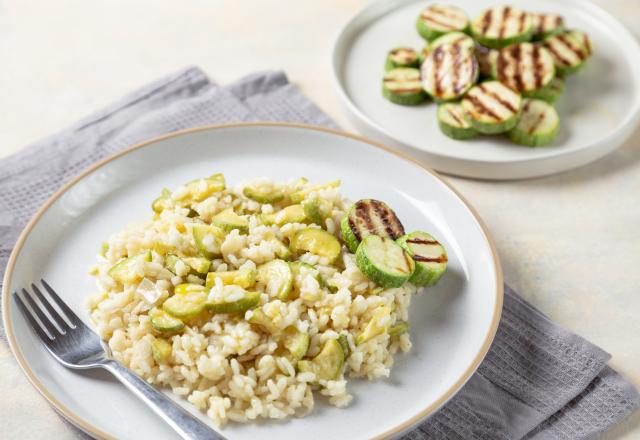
<point>599,110</point>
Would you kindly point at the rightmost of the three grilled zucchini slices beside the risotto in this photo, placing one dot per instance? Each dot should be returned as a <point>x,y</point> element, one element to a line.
<point>429,255</point>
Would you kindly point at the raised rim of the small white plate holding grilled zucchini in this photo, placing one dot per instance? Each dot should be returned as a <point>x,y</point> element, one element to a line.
<point>378,8</point>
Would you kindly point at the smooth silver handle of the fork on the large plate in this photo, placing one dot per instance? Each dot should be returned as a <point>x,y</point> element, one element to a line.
<point>184,423</point>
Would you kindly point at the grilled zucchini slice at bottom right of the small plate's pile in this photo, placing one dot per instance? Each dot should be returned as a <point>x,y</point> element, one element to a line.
<point>538,125</point>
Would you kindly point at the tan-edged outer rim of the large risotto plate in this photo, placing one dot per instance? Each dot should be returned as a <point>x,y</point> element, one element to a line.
<point>90,428</point>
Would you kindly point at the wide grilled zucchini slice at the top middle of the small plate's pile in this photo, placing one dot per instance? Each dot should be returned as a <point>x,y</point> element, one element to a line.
<point>501,26</point>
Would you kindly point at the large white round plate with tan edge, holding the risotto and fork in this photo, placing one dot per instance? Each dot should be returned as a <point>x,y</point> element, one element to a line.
<point>452,325</point>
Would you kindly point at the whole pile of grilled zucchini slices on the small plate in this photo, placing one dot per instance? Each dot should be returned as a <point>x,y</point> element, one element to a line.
<point>499,73</point>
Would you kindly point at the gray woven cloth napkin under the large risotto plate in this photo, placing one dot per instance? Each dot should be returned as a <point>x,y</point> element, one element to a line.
<point>538,381</point>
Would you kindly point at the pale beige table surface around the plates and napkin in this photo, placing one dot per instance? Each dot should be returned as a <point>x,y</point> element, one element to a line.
<point>570,243</point>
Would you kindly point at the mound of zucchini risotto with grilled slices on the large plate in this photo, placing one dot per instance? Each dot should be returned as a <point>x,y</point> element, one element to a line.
<point>252,301</point>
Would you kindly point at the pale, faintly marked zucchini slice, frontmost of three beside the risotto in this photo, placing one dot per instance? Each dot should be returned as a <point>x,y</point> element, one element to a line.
<point>384,261</point>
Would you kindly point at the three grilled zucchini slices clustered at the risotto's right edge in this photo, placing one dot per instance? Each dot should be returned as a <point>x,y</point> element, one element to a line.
<point>384,253</point>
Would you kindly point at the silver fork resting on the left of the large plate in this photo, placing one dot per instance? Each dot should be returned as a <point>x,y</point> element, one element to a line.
<point>74,345</point>
